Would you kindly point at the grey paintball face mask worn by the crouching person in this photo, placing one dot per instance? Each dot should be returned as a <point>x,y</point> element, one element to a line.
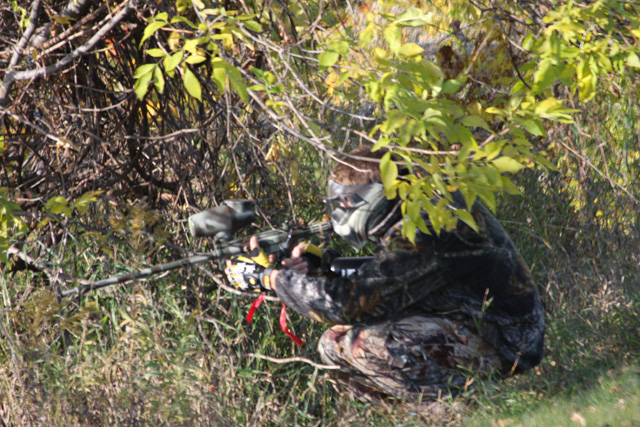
<point>355,209</point>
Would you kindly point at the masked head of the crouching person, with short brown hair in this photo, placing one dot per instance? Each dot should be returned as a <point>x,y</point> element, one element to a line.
<point>358,207</point>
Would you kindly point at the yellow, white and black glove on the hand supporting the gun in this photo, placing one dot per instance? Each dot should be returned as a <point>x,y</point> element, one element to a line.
<point>250,273</point>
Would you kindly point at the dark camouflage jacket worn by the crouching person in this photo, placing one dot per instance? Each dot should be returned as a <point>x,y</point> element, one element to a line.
<point>477,277</point>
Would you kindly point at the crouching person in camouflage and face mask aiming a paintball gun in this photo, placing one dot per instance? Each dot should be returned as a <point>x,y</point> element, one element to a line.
<point>417,321</point>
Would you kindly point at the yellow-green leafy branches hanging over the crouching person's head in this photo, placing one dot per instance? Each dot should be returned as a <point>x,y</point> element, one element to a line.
<point>431,114</point>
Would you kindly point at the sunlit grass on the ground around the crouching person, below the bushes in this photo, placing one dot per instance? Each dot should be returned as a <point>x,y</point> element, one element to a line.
<point>176,350</point>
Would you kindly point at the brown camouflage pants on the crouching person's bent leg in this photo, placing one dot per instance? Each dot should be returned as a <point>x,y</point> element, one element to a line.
<point>414,358</point>
